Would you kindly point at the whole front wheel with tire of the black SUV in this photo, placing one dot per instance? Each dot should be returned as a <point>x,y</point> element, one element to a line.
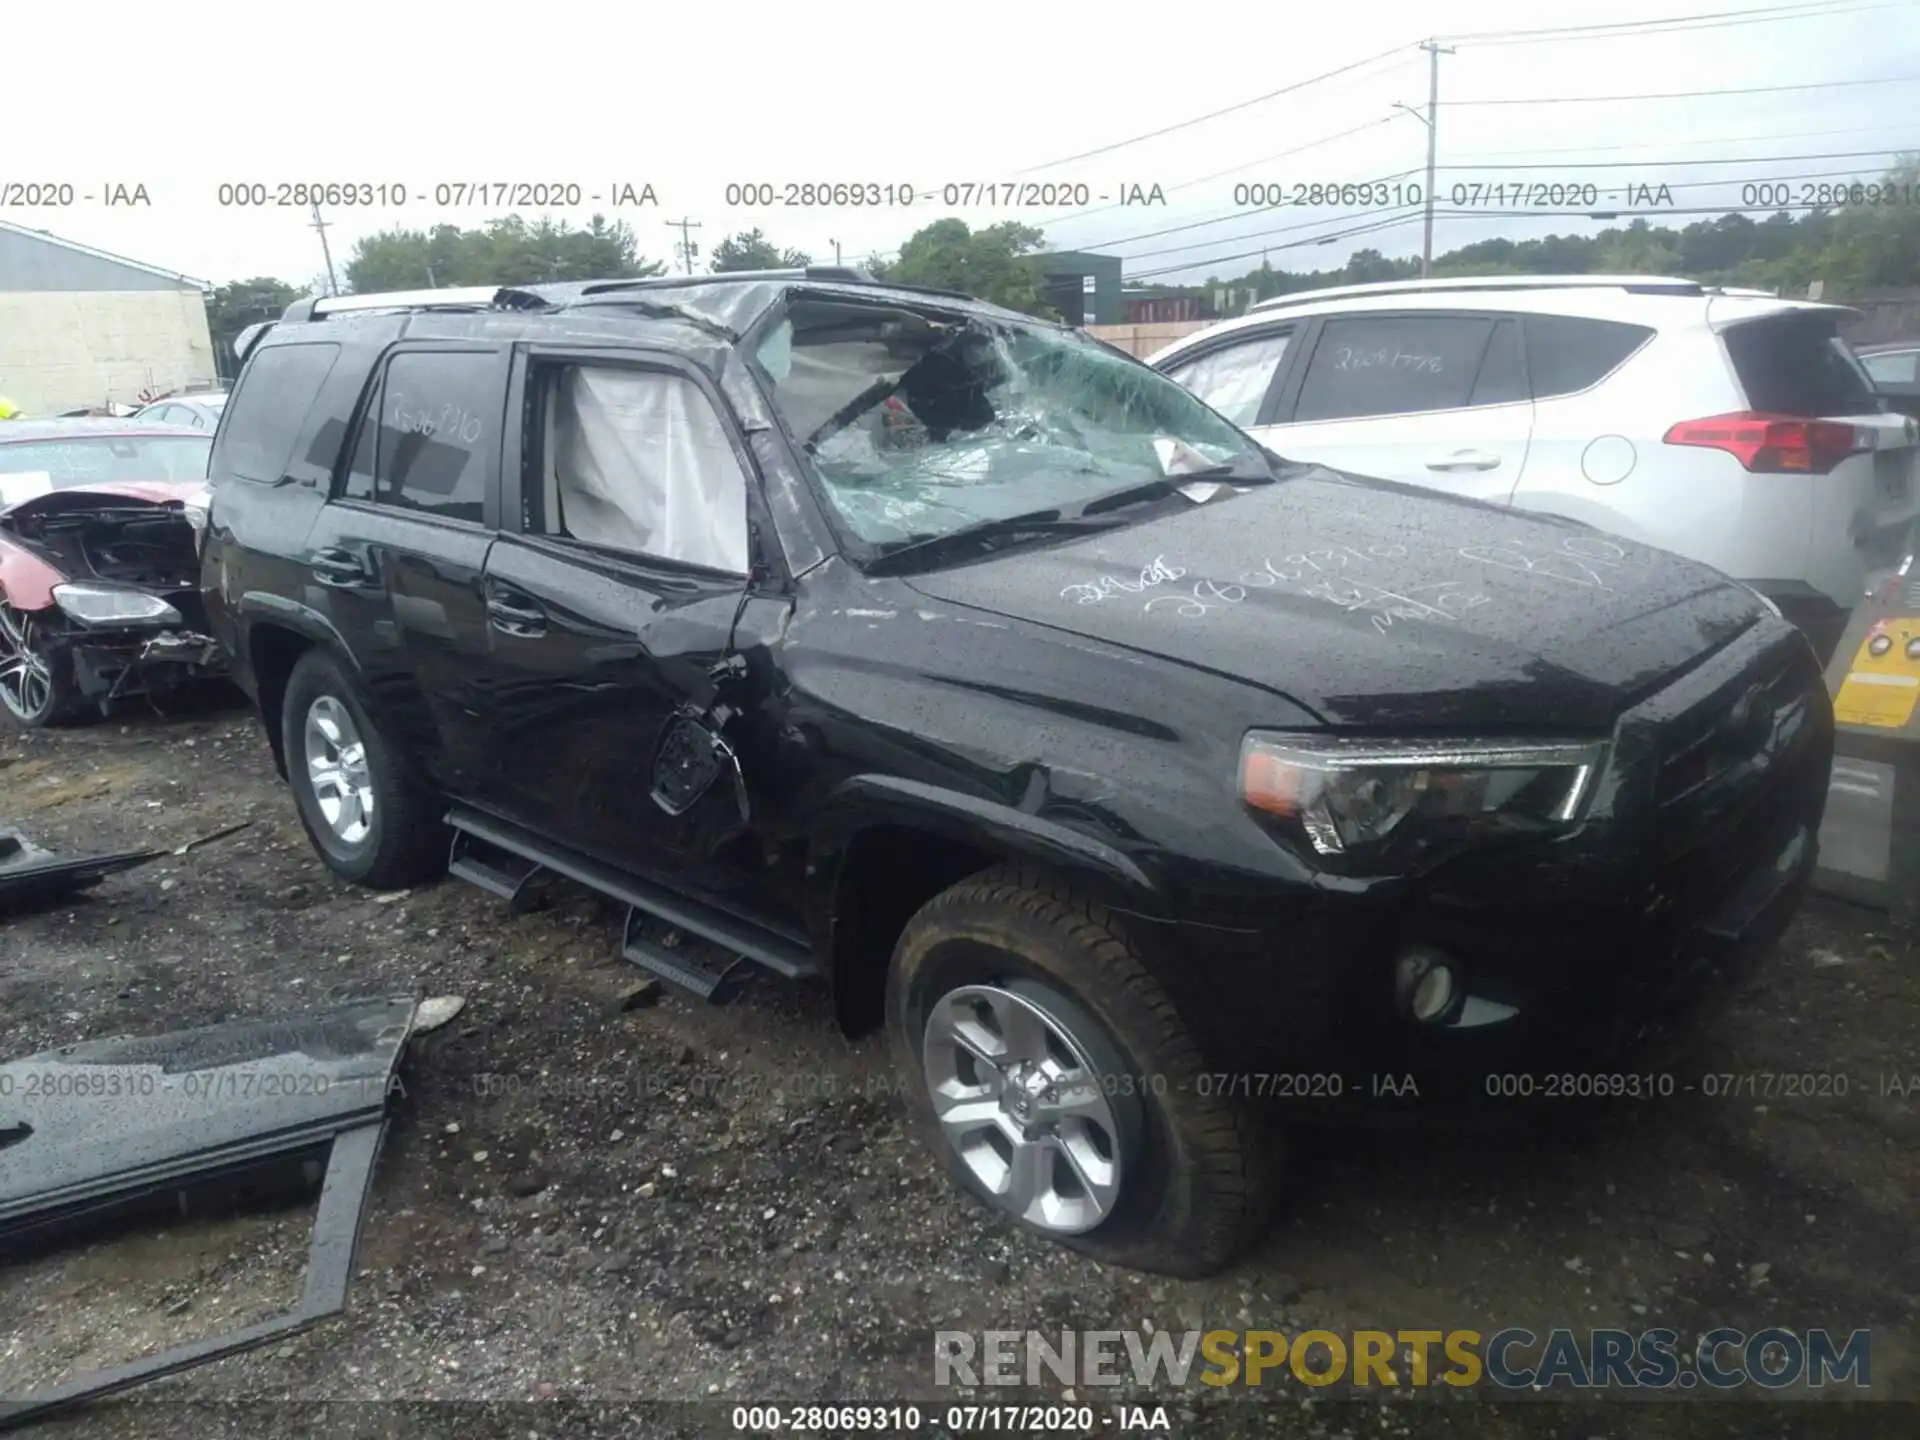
<point>1059,1084</point>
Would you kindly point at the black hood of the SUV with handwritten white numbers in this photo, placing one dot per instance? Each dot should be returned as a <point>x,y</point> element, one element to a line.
<point>1381,606</point>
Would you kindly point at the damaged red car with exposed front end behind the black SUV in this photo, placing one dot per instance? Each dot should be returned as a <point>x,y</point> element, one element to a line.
<point>101,525</point>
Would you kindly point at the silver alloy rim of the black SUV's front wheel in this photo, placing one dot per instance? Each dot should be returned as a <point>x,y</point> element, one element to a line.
<point>1022,1107</point>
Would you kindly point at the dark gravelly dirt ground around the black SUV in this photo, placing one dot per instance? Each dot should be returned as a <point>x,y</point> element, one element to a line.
<point>587,1205</point>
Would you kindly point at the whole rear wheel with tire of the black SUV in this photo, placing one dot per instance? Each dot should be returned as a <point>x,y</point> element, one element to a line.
<point>364,813</point>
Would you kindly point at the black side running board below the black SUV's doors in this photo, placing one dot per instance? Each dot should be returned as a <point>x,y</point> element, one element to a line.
<point>502,861</point>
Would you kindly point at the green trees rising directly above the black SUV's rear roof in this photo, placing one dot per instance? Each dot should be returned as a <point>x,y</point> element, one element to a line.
<point>508,251</point>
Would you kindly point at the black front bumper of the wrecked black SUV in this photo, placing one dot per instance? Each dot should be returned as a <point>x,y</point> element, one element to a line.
<point>1573,955</point>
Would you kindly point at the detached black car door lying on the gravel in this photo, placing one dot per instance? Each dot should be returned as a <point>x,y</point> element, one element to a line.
<point>103,1134</point>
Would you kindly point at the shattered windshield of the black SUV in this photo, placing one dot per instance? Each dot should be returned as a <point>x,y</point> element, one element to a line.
<point>923,425</point>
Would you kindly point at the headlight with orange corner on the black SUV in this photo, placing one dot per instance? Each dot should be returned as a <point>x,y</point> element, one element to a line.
<point>1358,794</point>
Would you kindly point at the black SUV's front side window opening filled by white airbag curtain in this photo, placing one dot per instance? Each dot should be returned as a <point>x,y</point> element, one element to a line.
<point>640,462</point>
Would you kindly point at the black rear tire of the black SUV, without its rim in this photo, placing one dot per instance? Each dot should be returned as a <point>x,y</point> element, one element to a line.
<point>406,842</point>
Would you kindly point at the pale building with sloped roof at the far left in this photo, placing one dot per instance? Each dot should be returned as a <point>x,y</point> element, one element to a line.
<point>82,327</point>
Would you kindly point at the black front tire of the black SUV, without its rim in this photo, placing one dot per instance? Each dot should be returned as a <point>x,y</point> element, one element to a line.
<point>1199,1172</point>
